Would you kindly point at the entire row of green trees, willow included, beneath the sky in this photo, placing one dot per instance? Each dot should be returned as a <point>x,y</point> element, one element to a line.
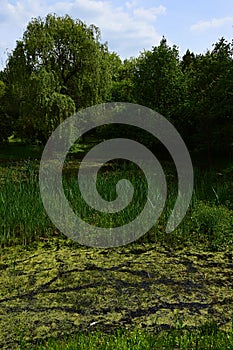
<point>61,66</point>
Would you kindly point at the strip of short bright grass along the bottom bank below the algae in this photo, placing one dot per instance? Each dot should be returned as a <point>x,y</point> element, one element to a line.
<point>207,336</point>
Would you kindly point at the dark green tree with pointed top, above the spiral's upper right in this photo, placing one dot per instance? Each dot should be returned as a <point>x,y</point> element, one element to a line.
<point>159,80</point>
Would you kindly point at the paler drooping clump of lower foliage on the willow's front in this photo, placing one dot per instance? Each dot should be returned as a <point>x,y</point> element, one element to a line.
<point>44,108</point>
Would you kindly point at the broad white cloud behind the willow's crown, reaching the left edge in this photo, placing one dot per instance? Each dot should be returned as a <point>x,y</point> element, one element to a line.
<point>128,28</point>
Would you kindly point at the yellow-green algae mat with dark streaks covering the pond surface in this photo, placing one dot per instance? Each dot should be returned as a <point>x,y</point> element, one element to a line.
<point>60,288</point>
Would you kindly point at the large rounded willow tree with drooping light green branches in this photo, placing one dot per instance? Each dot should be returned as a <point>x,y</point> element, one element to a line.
<point>58,67</point>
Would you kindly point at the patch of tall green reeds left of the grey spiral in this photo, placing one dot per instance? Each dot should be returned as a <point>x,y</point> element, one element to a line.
<point>23,218</point>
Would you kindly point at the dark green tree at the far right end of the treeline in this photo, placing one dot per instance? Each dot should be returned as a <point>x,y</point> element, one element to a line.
<point>210,102</point>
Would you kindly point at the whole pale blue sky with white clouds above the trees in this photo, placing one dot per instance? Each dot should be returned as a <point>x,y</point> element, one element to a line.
<point>129,26</point>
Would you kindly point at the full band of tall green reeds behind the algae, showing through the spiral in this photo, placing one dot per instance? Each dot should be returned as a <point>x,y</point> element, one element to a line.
<point>23,217</point>
